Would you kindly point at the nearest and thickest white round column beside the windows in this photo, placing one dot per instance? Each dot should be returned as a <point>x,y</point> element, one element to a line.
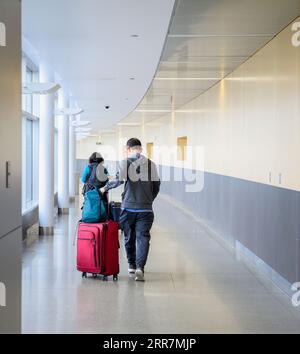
<point>46,155</point>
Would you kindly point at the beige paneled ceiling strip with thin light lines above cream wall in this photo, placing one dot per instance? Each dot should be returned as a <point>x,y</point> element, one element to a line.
<point>208,39</point>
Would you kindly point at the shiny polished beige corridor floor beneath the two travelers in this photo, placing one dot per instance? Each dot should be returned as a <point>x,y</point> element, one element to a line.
<point>194,285</point>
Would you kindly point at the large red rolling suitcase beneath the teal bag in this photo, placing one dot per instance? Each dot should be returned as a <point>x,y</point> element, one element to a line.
<point>98,249</point>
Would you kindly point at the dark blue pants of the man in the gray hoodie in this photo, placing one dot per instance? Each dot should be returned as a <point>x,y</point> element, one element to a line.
<point>136,227</point>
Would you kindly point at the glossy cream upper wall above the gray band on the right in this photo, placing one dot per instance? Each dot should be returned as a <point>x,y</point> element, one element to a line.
<point>248,124</point>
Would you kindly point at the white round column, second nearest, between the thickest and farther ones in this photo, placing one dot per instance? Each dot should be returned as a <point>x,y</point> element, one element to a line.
<point>63,155</point>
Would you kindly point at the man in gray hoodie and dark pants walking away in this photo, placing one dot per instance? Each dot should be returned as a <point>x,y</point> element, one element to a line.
<point>142,186</point>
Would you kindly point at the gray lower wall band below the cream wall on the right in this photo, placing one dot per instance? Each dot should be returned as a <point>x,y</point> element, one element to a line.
<point>265,219</point>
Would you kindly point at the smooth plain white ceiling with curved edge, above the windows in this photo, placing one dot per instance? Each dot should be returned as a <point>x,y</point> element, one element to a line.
<point>106,52</point>
